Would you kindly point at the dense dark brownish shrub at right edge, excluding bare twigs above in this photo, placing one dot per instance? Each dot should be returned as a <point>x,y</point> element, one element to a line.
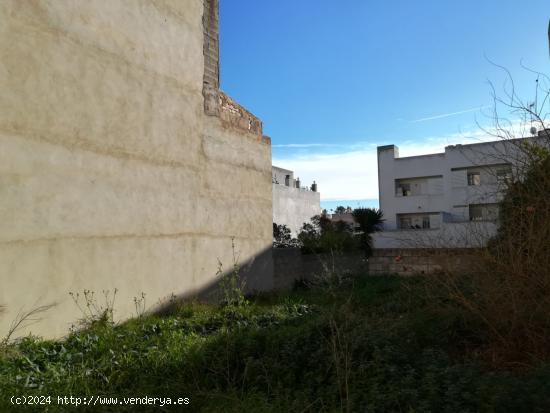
<point>510,292</point>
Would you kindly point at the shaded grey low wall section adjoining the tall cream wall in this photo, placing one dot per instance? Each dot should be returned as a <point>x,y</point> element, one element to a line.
<point>290,265</point>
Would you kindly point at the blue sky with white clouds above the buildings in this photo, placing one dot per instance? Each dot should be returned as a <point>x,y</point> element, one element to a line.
<point>331,79</point>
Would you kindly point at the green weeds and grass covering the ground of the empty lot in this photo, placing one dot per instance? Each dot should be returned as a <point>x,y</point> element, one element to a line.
<point>376,344</point>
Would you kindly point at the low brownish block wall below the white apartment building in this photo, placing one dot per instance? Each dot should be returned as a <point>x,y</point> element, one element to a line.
<point>410,261</point>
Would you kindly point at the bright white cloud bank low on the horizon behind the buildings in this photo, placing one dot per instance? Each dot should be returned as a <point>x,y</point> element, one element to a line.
<point>353,174</point>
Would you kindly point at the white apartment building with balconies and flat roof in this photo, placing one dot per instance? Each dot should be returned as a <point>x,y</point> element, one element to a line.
<point>447,199</point>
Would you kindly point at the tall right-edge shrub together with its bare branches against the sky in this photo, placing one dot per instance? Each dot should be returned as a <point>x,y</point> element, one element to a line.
<point>509,294</point>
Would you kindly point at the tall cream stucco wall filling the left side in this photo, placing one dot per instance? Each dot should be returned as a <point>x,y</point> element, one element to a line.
<point>111,175</point>
